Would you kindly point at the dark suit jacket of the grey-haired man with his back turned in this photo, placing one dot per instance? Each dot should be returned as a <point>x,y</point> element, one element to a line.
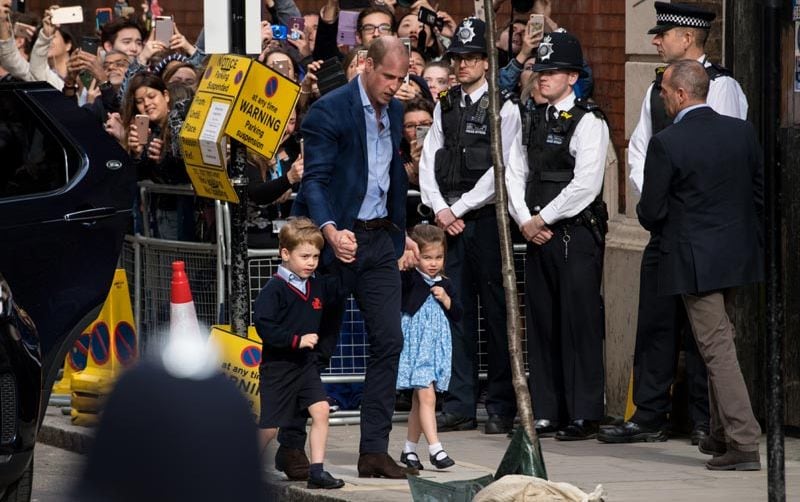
<point>703,194</point>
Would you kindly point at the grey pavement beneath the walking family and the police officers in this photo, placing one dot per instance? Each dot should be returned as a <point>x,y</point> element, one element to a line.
<point>669,471</point>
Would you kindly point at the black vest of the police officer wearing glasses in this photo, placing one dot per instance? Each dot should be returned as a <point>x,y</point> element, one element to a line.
<point>466,153</point>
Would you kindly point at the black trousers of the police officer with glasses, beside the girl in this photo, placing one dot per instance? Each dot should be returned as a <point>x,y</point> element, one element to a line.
<point>473,265</point>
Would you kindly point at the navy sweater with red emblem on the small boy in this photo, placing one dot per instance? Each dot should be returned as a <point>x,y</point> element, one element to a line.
<point>282,314</point>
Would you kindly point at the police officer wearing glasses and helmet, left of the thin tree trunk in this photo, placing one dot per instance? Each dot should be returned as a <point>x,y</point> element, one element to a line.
<point>457,181</point>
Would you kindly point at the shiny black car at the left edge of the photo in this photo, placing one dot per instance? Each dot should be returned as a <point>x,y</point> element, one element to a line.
<point>66,195</point>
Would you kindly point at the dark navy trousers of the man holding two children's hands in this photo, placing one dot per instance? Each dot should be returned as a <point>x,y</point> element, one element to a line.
<point>374,281</point>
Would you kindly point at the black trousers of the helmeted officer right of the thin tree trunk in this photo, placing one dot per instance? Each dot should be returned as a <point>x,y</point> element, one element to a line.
<point>565,324</point>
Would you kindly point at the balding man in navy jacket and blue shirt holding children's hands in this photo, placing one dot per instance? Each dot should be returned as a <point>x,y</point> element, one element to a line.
<point>354,187</point>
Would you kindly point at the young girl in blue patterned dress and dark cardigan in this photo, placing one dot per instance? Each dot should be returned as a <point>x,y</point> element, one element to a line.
<point>428,304</point>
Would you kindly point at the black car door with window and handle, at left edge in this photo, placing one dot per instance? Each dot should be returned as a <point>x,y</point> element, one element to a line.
<point>66,195</point>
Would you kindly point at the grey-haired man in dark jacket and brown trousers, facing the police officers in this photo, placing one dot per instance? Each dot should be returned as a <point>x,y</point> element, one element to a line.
<point>703,195</point>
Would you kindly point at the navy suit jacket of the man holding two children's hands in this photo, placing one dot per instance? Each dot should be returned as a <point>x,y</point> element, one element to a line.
<point>335,165</point>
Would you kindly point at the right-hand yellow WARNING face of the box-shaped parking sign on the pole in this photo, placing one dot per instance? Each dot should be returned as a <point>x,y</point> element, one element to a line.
<point>263,107</point>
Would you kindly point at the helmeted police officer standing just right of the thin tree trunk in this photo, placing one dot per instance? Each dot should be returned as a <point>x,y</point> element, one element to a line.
<point>554,180</point>
